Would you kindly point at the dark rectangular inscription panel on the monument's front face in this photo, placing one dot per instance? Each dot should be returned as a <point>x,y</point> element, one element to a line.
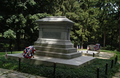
<point>51,35</point>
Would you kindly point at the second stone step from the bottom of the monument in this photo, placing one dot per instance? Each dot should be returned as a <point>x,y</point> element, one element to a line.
<point>59,50</point>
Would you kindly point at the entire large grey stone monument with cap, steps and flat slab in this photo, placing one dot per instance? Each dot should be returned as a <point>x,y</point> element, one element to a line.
<point>53,45</point>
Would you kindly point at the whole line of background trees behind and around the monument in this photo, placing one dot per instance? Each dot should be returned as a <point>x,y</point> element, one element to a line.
<point>96,21</point>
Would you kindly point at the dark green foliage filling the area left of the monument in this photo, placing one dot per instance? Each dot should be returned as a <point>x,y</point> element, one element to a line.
<point>19,16</point>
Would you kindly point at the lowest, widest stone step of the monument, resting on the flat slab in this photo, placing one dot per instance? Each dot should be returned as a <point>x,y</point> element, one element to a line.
<point>58,55</point>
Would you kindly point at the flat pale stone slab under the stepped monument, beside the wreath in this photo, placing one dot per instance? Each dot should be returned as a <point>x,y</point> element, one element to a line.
<point>49,61</point>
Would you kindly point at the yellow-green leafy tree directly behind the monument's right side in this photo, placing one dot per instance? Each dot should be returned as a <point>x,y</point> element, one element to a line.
<point>83,14</point>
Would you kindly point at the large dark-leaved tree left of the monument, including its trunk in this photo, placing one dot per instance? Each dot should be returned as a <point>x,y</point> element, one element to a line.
<point>17,17</point>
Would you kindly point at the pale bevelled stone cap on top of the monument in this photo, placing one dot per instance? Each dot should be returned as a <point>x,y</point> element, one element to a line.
<point>54,19</point>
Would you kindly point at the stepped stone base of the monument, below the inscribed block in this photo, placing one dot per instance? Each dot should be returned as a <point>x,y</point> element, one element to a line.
<point>55,48</point>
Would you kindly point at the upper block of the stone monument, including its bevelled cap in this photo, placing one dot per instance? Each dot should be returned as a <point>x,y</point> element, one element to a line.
<point>55,27</point>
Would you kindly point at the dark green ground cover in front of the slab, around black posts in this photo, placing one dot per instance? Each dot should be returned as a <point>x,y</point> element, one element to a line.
<point>88,71</point>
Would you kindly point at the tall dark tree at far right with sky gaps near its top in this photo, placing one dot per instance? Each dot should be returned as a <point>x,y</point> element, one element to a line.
<point>106,18</point>
